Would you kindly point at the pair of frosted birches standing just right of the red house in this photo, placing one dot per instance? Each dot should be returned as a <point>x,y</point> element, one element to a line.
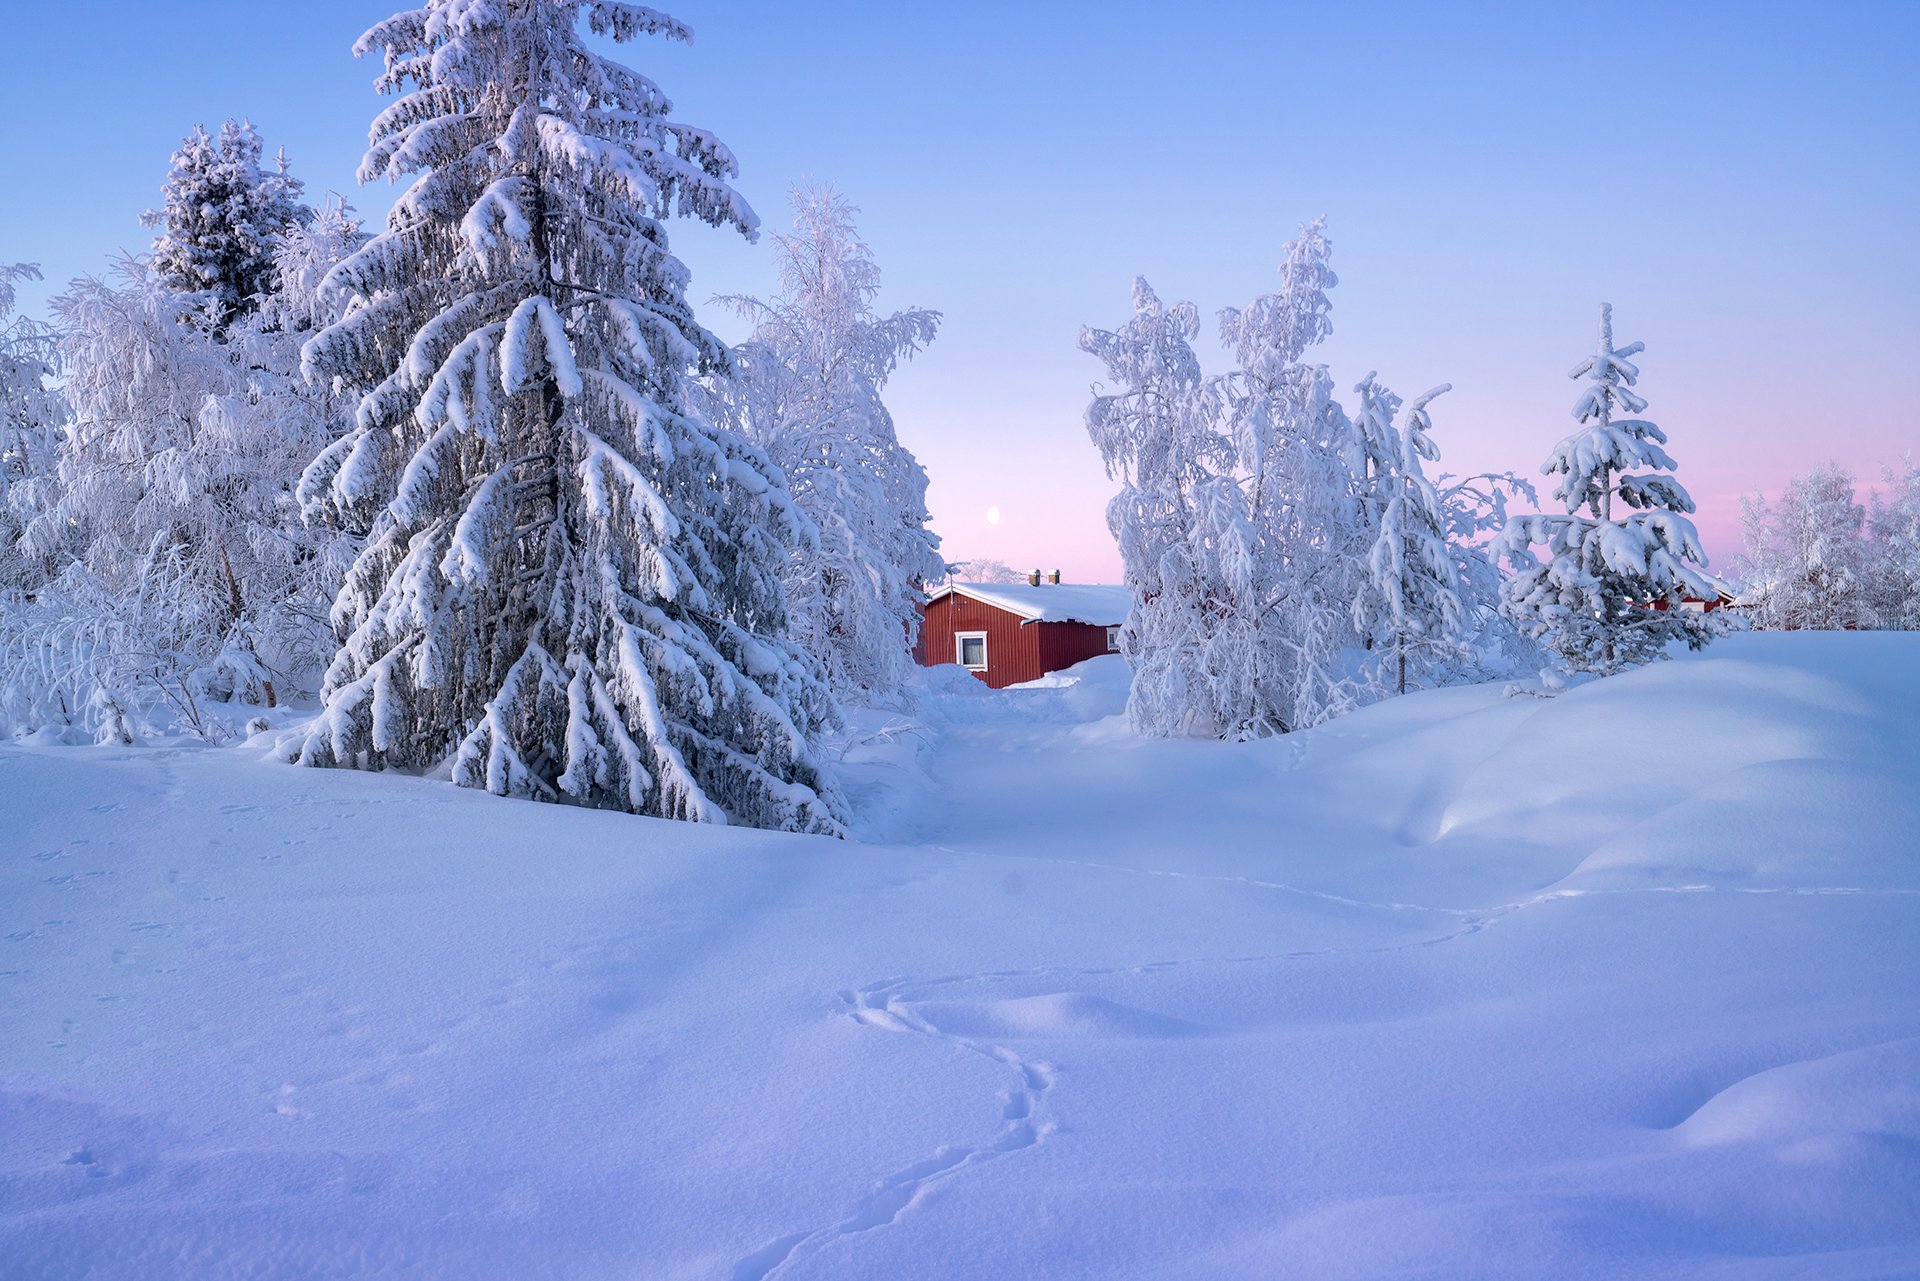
<point>1243,510</point>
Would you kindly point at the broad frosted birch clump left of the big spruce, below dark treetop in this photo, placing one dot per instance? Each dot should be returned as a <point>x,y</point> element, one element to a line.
<point>172,495</point>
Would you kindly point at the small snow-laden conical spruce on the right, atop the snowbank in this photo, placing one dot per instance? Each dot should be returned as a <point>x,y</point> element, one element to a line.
<point>1593,602</point>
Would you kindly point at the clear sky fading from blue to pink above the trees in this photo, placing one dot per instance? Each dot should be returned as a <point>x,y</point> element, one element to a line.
<point>1739,180</point>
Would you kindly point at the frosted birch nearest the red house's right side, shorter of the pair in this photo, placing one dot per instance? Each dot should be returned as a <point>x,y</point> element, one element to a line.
<point>1182,527</point>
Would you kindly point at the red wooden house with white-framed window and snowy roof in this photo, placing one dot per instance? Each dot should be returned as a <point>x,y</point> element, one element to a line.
<point>1013,633</point>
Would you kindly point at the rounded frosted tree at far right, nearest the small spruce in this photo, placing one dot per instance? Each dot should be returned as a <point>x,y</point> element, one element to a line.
<point>1808,558</point>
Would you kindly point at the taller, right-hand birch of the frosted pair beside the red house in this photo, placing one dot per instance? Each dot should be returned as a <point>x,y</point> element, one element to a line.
<point>1305,493</point>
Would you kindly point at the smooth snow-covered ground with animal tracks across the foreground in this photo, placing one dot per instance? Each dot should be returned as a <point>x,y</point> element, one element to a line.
<point>1620,984</point>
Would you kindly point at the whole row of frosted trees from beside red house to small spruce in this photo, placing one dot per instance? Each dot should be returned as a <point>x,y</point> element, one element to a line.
<point>1291,560</point>
